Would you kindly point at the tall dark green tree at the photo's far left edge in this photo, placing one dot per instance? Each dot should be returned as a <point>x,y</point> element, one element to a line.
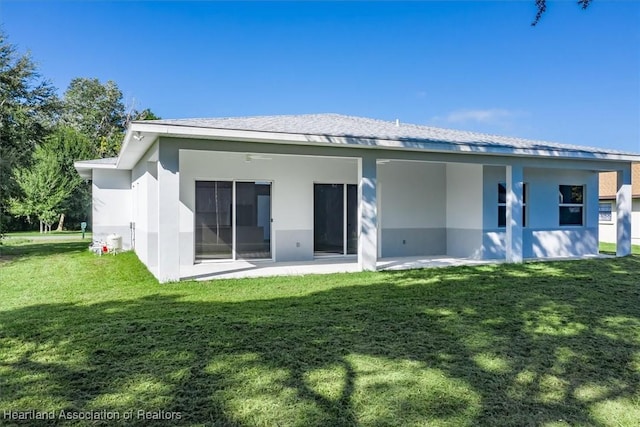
<point>28,109</point>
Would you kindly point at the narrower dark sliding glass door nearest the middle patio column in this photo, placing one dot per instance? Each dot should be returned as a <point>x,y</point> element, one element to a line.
<point>335,219</point>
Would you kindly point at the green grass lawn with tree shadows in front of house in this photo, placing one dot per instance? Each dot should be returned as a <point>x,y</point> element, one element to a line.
<point>536,344</point>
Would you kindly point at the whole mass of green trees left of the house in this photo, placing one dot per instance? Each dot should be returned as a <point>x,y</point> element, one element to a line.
<point>41,136</point>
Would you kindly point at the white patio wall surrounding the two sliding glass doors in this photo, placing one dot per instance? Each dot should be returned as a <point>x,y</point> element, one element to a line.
<point>292,179</point>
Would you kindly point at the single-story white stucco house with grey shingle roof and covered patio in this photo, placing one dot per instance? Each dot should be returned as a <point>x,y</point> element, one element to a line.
<point>223,193</point>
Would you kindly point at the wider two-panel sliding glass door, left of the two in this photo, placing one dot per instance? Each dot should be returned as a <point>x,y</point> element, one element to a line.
<point>233,220</point>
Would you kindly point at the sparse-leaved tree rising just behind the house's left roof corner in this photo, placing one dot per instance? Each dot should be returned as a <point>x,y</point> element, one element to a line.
<point>96,110</point>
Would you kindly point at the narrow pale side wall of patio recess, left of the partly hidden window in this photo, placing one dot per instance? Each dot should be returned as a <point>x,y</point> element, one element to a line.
<point>464,210</point>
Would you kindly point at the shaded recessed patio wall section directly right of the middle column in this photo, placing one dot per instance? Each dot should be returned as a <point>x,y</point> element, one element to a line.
<point>412,214</point>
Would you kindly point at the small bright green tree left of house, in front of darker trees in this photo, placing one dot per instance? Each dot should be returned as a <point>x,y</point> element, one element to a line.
<point>44,188</point>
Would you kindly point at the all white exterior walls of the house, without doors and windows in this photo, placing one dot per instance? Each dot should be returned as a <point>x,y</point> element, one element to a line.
<point>425,208</point>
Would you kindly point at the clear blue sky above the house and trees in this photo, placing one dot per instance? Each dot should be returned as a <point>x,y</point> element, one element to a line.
<point>575,78</point>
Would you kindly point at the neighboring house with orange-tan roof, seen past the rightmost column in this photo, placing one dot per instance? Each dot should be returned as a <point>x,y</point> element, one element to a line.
<point>607,211</point>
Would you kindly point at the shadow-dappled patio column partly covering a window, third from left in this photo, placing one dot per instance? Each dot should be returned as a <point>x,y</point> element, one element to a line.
<point>515,188</point>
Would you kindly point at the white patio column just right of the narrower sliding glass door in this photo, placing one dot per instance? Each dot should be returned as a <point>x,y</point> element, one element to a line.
<point>367,213</point>
